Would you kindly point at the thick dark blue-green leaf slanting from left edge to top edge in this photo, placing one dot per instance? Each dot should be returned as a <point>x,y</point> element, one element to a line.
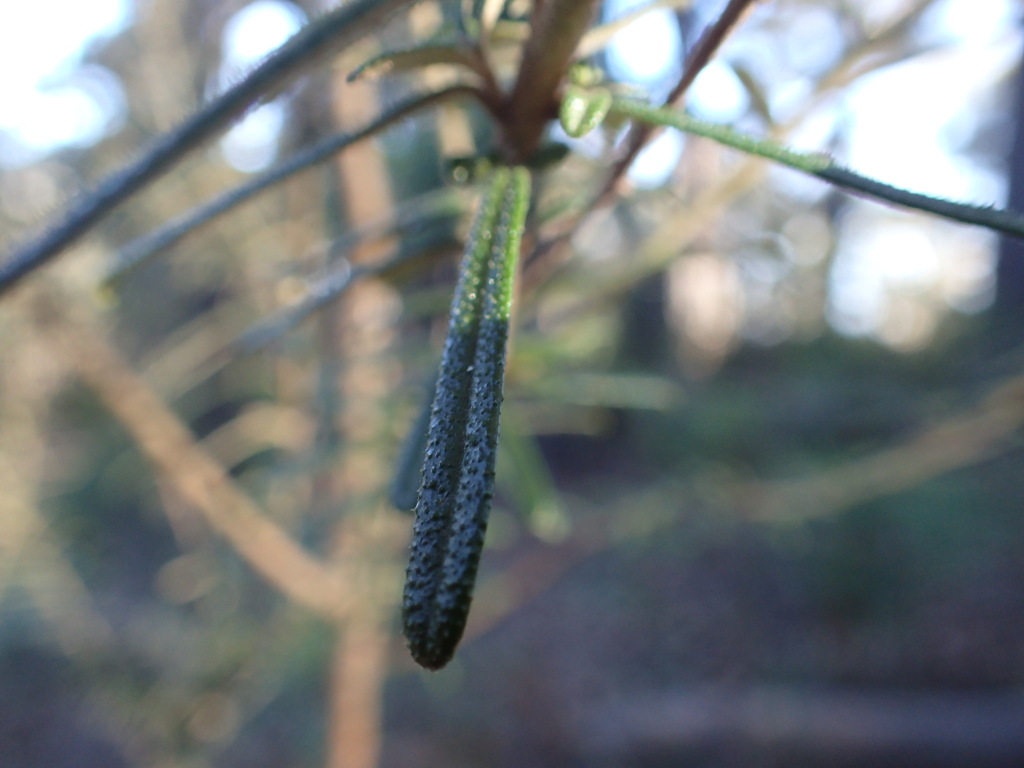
<point>330,33</point>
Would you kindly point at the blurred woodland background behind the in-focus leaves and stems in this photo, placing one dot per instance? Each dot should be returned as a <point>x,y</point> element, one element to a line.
<point>760,486</point>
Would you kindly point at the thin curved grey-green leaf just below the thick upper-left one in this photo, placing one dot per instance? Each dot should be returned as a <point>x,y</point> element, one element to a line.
<point>150,245</point>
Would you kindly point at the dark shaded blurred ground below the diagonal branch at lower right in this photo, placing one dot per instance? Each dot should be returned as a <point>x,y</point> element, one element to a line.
<point>888,636</point>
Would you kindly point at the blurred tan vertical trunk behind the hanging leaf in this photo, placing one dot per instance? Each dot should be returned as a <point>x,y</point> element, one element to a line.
<point>356,344</point>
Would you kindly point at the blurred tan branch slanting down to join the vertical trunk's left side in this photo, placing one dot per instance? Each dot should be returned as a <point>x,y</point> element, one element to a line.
<point>195,475</point>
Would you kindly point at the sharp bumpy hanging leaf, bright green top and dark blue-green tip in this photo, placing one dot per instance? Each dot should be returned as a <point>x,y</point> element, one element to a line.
<point>455,496</point>
